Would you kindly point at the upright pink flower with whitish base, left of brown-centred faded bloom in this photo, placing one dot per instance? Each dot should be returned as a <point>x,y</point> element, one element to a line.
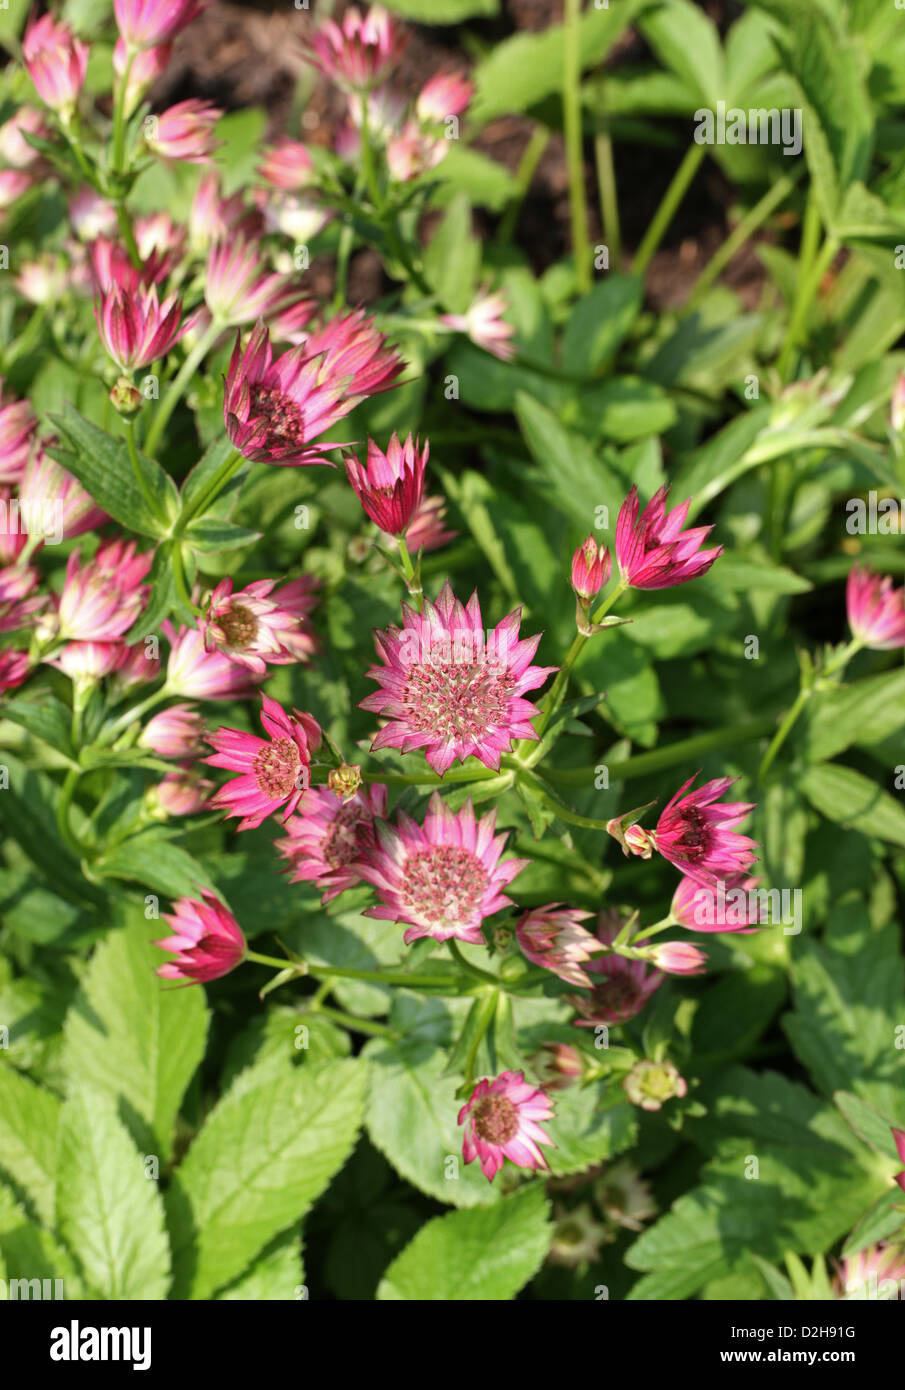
<point>102,598</point>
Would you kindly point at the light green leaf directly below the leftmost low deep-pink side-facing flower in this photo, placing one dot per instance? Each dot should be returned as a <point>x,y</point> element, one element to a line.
<point>134,1039</point>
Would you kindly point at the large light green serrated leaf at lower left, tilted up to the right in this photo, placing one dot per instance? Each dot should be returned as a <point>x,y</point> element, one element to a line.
<point>266,1153</point>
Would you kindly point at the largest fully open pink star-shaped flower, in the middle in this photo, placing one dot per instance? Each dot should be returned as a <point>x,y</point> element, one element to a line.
<point>448,690</point>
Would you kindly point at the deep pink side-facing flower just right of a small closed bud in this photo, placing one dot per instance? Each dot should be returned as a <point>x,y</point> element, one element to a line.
<point>653,550</point>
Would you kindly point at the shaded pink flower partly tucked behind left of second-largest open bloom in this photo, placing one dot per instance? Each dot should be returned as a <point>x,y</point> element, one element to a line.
<point>329,837</point>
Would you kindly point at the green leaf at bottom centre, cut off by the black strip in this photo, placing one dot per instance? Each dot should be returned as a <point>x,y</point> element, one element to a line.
<point>473,1256</point>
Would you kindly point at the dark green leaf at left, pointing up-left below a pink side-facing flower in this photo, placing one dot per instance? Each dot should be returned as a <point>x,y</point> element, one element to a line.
<point>102,465</point>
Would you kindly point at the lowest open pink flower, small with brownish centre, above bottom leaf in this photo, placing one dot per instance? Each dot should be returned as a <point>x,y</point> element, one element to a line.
<point>503,1122</point>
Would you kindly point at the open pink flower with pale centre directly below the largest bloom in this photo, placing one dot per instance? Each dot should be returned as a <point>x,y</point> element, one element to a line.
<point>444,878</point>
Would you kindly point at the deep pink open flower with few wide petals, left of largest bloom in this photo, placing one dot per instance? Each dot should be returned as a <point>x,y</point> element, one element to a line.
<point>275,771</point>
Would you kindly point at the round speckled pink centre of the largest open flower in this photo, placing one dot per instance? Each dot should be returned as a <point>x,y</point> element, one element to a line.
<point>458,700</point>
